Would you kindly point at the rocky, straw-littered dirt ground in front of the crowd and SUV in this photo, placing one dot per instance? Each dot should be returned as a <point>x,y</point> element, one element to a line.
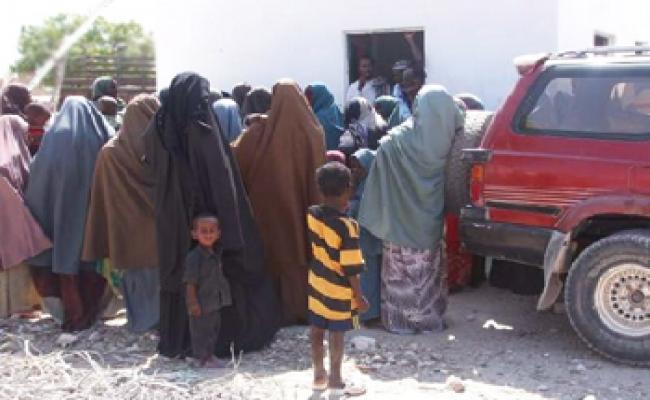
<point>497,347</point>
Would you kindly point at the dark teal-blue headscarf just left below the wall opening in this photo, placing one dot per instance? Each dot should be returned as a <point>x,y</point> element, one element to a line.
<point>328,113</point>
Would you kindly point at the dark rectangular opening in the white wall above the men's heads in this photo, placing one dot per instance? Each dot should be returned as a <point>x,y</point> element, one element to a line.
<point>384,48</point>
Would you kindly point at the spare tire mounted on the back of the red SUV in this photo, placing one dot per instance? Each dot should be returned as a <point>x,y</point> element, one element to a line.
<point>457,174</point>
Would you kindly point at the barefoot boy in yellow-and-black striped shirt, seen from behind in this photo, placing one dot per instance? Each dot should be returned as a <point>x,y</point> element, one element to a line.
<point>334,289</point>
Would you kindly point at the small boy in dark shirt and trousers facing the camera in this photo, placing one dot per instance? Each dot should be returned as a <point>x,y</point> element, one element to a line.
<point>207,289</point>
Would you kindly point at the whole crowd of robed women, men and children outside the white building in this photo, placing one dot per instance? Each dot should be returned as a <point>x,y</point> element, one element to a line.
<point>143,200</point>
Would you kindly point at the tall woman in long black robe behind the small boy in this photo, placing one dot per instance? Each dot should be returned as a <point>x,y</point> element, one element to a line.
<point>194,172</point>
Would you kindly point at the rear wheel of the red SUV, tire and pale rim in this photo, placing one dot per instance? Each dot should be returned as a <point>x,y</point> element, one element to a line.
<point>605,300</point>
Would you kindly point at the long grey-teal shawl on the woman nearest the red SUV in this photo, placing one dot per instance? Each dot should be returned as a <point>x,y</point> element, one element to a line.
<point>403,200</point>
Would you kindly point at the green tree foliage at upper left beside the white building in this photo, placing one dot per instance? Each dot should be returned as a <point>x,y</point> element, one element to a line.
<point>37,42</point>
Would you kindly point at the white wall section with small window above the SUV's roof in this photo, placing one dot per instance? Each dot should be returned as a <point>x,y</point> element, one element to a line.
<point>627,20</point>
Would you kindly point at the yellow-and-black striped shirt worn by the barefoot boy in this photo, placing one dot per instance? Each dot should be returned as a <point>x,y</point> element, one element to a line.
<point>334,241</point>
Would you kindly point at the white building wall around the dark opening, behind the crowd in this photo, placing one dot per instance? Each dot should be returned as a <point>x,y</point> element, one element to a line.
<point>469,44</point>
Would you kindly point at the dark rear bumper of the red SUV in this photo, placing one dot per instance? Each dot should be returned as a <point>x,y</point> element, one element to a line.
<point>499,240</point>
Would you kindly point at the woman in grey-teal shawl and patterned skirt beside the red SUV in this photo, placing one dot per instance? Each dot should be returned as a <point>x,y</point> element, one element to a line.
<point>403,204</point>
